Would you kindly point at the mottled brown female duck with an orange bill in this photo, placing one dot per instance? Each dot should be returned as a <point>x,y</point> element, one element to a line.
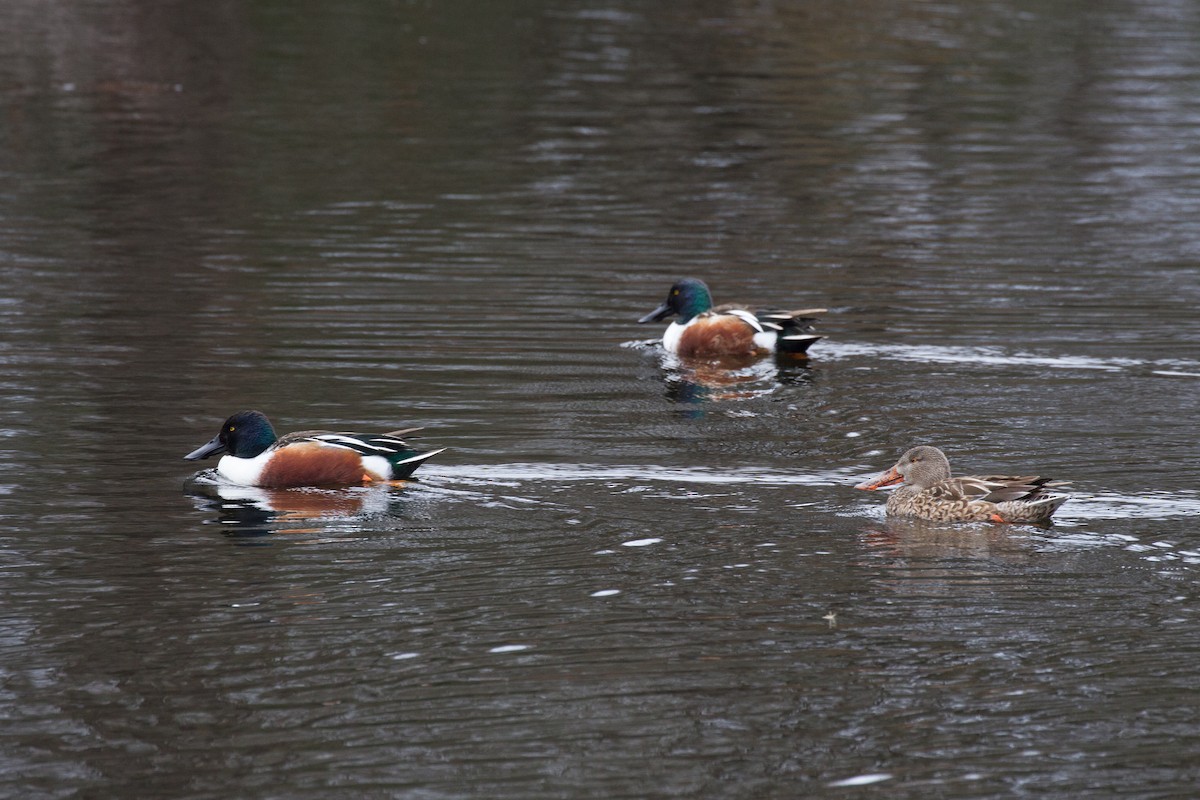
<point>931,494</point>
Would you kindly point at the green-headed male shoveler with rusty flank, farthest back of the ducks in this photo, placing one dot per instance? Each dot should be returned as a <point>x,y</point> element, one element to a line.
<point>705,333</point>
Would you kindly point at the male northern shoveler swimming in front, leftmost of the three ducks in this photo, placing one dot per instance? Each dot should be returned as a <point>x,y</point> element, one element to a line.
<point>255,456</point>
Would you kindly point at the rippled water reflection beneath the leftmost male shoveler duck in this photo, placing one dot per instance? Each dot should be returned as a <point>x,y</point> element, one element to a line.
<point>248,512</point>
